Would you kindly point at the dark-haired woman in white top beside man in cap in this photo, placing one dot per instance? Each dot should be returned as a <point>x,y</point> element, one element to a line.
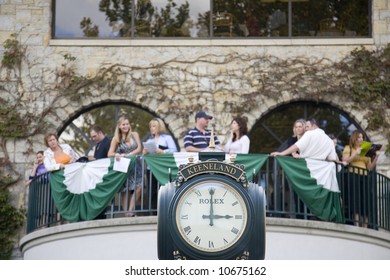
<point>238,142</point>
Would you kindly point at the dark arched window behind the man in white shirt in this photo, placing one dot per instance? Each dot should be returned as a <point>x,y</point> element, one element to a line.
<point>276,126</point>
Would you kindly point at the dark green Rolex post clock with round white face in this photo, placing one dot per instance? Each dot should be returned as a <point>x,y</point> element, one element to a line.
<point>211,216</point>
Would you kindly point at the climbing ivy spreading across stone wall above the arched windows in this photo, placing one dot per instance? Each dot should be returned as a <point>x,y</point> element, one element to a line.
<point>362,79</point>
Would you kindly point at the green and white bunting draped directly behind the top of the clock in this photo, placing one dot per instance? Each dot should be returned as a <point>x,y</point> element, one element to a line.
<point>163,164</point>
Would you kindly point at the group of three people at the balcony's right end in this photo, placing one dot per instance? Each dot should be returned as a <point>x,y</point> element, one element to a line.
<point>313,143</point>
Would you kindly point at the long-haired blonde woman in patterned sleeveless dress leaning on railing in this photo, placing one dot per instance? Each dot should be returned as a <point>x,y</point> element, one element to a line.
<point>127,143</point>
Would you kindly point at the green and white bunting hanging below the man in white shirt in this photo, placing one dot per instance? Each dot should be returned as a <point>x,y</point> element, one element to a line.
<point>316,184</point>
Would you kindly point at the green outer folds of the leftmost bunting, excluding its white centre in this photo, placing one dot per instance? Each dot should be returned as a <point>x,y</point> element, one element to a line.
<point>88,205</point>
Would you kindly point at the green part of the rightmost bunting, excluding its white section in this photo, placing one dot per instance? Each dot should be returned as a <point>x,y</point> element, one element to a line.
<point>323,203</point>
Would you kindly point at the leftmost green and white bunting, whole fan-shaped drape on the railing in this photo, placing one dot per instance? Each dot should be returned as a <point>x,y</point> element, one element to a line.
<point>83,190</point>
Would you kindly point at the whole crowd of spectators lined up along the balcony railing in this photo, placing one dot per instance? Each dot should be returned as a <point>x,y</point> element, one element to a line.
<point>307,141</point>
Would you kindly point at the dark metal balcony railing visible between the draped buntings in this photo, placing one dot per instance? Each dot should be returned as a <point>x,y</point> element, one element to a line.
<point>365,198</point>
